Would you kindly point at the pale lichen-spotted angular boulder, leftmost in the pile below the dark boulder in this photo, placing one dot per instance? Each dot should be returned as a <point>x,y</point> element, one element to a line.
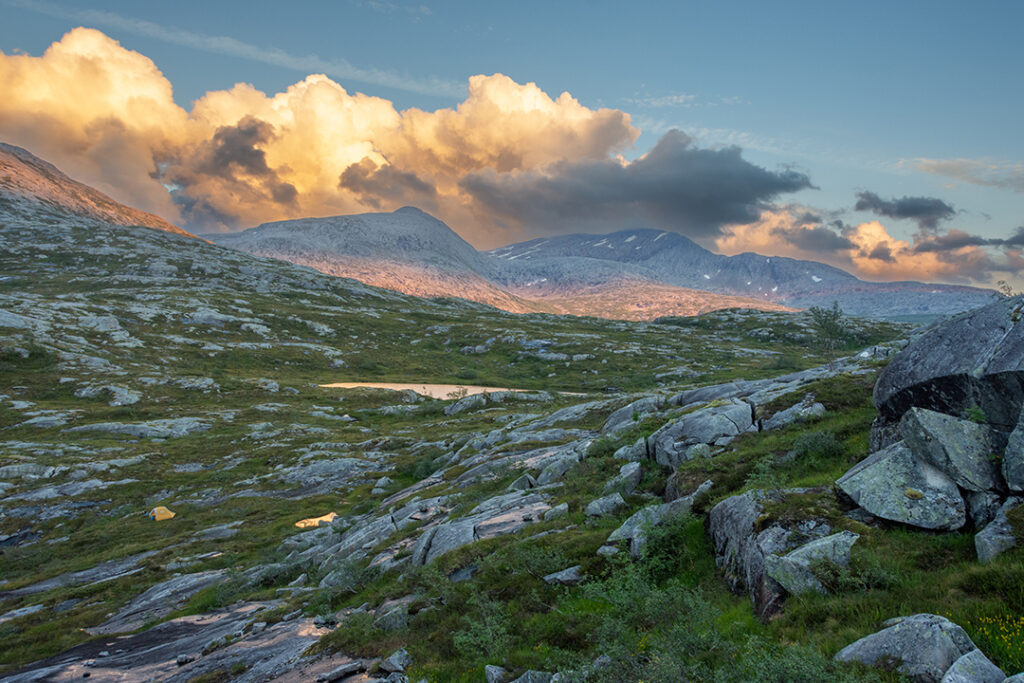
<point>894,485</point>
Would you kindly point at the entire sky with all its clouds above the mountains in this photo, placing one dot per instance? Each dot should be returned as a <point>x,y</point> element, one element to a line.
<point>880,138</point>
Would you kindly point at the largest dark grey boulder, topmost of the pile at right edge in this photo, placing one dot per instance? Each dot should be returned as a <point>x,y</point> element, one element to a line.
<point>975,359</point>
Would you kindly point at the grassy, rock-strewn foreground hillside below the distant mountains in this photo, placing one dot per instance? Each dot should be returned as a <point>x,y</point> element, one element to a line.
<point>699,499</point>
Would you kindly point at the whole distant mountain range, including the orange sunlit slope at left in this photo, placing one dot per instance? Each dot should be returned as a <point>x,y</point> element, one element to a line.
<point>630,275</point>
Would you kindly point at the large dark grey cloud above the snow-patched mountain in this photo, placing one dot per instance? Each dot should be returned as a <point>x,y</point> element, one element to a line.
<point>676,186</point>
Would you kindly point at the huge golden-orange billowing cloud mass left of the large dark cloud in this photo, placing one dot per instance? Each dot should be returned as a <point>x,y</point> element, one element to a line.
<point>241,157</point>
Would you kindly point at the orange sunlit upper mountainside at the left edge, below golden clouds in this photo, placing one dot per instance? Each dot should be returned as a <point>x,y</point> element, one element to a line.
<point>24,176</point>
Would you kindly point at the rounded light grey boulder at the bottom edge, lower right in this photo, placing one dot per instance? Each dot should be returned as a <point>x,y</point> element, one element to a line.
<point>924,646</point>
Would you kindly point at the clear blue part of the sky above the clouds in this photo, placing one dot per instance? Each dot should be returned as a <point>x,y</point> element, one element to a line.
<point>852,95</point>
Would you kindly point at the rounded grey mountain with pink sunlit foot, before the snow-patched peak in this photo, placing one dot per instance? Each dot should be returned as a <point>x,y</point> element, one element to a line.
<point>413,252</point>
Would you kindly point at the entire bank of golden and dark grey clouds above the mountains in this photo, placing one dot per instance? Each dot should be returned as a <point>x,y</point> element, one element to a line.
<point>508,163</point>
